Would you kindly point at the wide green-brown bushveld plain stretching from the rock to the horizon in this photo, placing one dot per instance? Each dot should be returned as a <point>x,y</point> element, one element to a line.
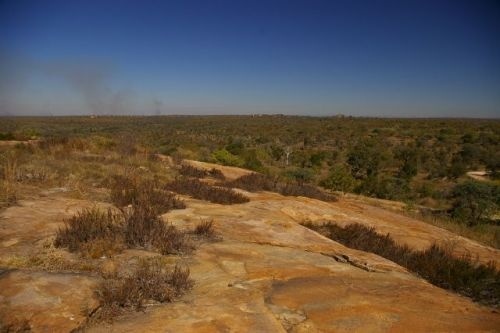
<point>422,162</point>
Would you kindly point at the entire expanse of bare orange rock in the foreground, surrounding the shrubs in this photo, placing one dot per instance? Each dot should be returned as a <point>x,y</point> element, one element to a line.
<point>267,274</point>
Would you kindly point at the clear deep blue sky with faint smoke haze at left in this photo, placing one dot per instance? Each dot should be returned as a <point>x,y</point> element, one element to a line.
<point>375,58</point>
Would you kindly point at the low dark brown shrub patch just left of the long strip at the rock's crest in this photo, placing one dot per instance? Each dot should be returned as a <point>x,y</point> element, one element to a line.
<point>199,190</point>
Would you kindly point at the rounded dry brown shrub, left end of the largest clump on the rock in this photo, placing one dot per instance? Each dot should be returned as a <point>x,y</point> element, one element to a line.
<point>92,231</point>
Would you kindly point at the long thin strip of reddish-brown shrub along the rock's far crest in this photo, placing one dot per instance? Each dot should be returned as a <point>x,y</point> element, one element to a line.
<point>258,182</point>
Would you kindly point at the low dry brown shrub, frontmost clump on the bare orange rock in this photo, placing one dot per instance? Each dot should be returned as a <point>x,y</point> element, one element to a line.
<point>151,281</point>
